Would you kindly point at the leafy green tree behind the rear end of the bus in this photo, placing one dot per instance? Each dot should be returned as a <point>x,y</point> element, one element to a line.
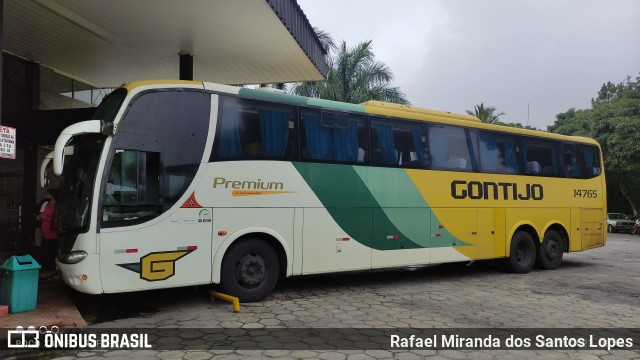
<point>614,121</point>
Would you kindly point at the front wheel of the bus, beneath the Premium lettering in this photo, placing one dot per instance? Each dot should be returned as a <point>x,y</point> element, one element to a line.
<point>250,270</point>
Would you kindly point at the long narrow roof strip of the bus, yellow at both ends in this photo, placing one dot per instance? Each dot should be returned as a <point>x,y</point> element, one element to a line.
<point>369,107</point>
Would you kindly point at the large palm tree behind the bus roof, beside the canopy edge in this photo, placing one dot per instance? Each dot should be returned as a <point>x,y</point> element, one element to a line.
<point>354,76</point>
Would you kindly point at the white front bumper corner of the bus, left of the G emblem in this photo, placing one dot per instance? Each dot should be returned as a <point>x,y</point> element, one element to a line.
<point>83,276</point>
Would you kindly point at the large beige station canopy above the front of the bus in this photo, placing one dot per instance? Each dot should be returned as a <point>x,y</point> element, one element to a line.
<point>108,42</point>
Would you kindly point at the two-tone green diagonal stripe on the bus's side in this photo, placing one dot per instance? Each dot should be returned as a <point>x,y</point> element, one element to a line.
<point>378,207</point>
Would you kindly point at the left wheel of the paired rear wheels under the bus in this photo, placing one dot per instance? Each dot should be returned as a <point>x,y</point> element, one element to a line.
<point>522,249</point>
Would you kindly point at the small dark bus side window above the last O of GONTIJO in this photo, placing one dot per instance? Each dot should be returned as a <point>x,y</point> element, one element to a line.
<point>541,157</point>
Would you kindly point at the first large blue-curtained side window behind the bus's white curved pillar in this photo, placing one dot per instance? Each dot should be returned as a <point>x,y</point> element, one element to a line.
<point>250,129</point>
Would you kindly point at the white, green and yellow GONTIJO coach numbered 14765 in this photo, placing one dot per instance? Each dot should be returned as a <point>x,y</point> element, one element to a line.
<point>183,183</point>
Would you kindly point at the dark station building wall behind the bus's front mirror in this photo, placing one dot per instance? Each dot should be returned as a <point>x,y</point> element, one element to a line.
<point>36,132</point>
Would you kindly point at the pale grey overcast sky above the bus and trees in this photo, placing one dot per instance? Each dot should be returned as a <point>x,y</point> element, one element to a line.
<point>453,54</point>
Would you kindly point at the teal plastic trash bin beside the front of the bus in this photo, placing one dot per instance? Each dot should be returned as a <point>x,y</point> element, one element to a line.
<point>19,283</point>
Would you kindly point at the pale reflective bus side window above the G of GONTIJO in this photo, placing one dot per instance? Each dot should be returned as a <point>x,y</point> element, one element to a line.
<point>452,148</point>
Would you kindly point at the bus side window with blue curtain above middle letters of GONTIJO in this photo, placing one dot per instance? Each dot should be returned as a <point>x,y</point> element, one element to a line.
<point>499,153</point>
